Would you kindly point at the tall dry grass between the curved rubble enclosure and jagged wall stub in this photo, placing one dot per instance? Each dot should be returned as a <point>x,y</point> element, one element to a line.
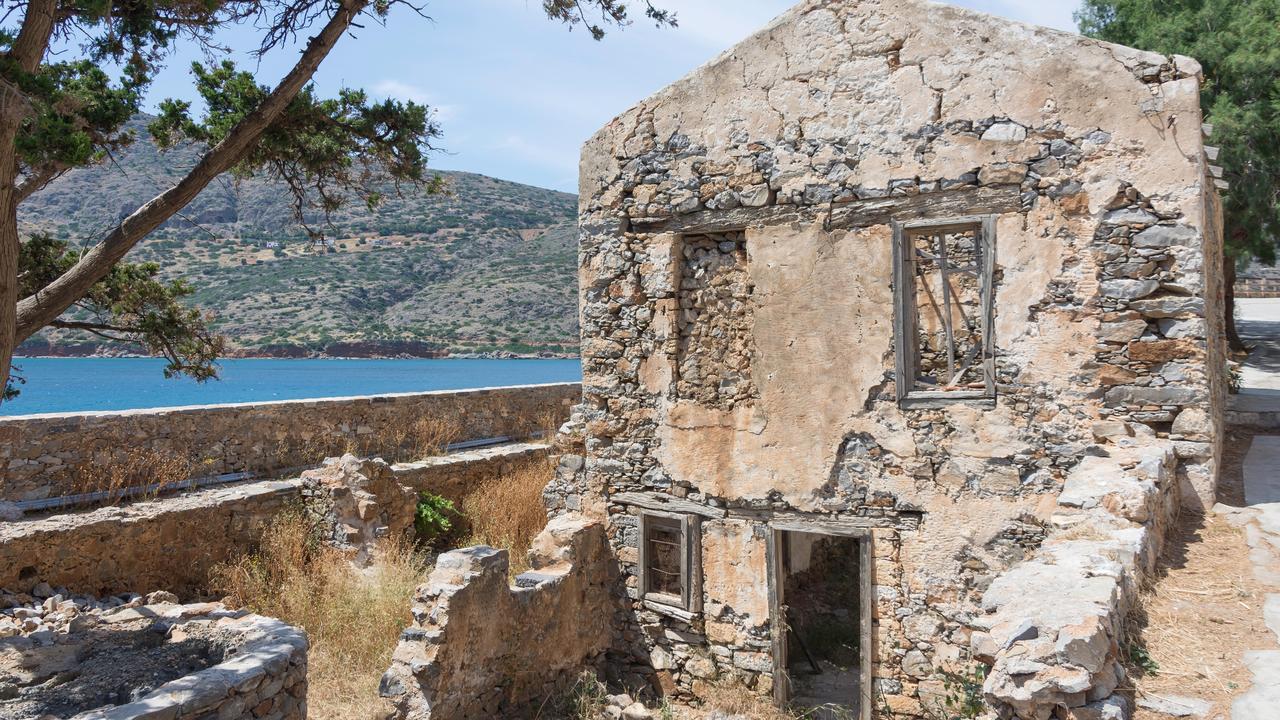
<point>351,617</point>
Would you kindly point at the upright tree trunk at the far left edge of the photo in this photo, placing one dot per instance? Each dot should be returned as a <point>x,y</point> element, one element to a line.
<point>28,52</point>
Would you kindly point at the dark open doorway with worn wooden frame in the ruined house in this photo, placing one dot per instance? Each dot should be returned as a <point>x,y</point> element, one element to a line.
<point>822,607</point>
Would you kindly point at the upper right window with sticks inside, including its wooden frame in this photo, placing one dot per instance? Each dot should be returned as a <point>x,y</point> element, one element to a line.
<point>944,297</point>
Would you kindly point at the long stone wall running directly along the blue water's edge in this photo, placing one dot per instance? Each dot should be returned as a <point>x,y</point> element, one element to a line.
<point>45,455</point>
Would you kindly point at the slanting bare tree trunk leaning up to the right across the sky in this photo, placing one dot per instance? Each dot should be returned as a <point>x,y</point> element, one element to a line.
<point>43,308</point>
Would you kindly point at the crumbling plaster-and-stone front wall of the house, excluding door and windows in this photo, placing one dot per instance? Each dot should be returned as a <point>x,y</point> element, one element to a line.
<point>1082,147</point>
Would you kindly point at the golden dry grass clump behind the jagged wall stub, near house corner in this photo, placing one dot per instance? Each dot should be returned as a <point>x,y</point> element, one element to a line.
<point>508,512</point>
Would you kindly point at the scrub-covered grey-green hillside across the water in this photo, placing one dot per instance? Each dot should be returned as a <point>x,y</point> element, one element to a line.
<point>488,267</point>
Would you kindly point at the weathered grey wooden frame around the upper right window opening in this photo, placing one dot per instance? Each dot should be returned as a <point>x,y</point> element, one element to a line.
<point>907,316</point>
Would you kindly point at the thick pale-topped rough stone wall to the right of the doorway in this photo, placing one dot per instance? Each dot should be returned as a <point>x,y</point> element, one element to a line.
<point>1054,628</point>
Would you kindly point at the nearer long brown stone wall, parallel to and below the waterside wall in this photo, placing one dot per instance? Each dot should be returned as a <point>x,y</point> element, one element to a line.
<point>172,544</point>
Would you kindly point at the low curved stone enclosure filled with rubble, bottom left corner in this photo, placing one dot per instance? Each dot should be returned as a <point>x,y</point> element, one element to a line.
<point>132,657</point>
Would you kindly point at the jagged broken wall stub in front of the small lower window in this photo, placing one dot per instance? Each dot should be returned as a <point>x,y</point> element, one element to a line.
<point>459,659</point>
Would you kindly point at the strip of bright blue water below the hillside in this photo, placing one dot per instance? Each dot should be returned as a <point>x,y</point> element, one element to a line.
<point>68,385</point>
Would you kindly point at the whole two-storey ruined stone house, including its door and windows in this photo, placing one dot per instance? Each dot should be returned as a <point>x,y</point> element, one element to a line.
<point>875,307</point>
